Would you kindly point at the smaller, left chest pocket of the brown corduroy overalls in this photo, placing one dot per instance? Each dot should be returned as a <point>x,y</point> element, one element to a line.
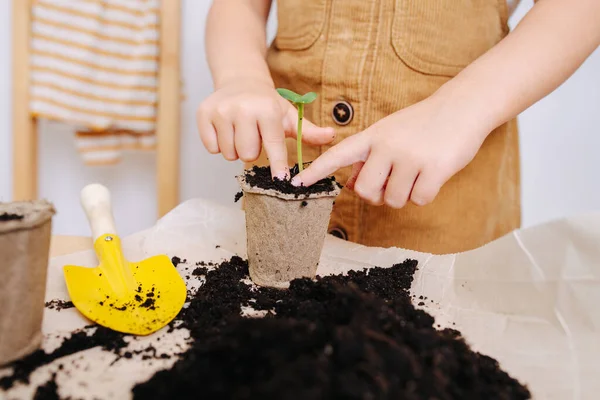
<point>299,23</point>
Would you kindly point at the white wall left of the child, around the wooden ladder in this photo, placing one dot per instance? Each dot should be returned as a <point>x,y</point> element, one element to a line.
<point>132,183</point>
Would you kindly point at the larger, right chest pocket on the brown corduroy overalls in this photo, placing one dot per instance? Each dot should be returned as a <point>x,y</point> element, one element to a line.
<point>441,37</point>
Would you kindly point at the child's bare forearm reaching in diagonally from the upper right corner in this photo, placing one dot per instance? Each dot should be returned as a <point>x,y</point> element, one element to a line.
<point>543,51</point>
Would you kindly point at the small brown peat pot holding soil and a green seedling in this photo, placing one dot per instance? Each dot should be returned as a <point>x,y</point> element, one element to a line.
<point>286,225</point>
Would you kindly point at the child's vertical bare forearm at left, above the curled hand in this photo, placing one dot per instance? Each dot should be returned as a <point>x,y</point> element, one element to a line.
<point>236,40</point>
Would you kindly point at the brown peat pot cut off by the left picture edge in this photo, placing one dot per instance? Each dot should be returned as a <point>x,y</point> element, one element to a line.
<point>25,230</point>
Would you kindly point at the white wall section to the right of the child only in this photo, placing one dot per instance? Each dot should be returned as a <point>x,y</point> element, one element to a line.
<point>559,144</point>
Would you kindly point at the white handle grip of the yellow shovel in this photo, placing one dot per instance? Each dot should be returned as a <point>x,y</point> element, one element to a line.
<point>96,203</point>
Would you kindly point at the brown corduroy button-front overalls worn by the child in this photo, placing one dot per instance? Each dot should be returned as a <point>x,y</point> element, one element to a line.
<point>370,58</point>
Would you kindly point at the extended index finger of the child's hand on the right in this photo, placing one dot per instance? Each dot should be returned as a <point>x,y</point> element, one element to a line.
<point>347,152</point>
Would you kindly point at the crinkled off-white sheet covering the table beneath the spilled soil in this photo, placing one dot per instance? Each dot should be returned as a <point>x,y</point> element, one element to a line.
<point>529,299</point>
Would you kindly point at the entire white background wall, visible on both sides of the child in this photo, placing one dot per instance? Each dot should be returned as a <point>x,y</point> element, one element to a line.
<point>559,146</point>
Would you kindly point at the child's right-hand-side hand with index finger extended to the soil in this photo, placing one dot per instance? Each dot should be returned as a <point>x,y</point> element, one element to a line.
<point>406,156</point>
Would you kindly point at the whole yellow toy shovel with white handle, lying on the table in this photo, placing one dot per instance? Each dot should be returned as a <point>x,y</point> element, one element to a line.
<point>130,297</point>
